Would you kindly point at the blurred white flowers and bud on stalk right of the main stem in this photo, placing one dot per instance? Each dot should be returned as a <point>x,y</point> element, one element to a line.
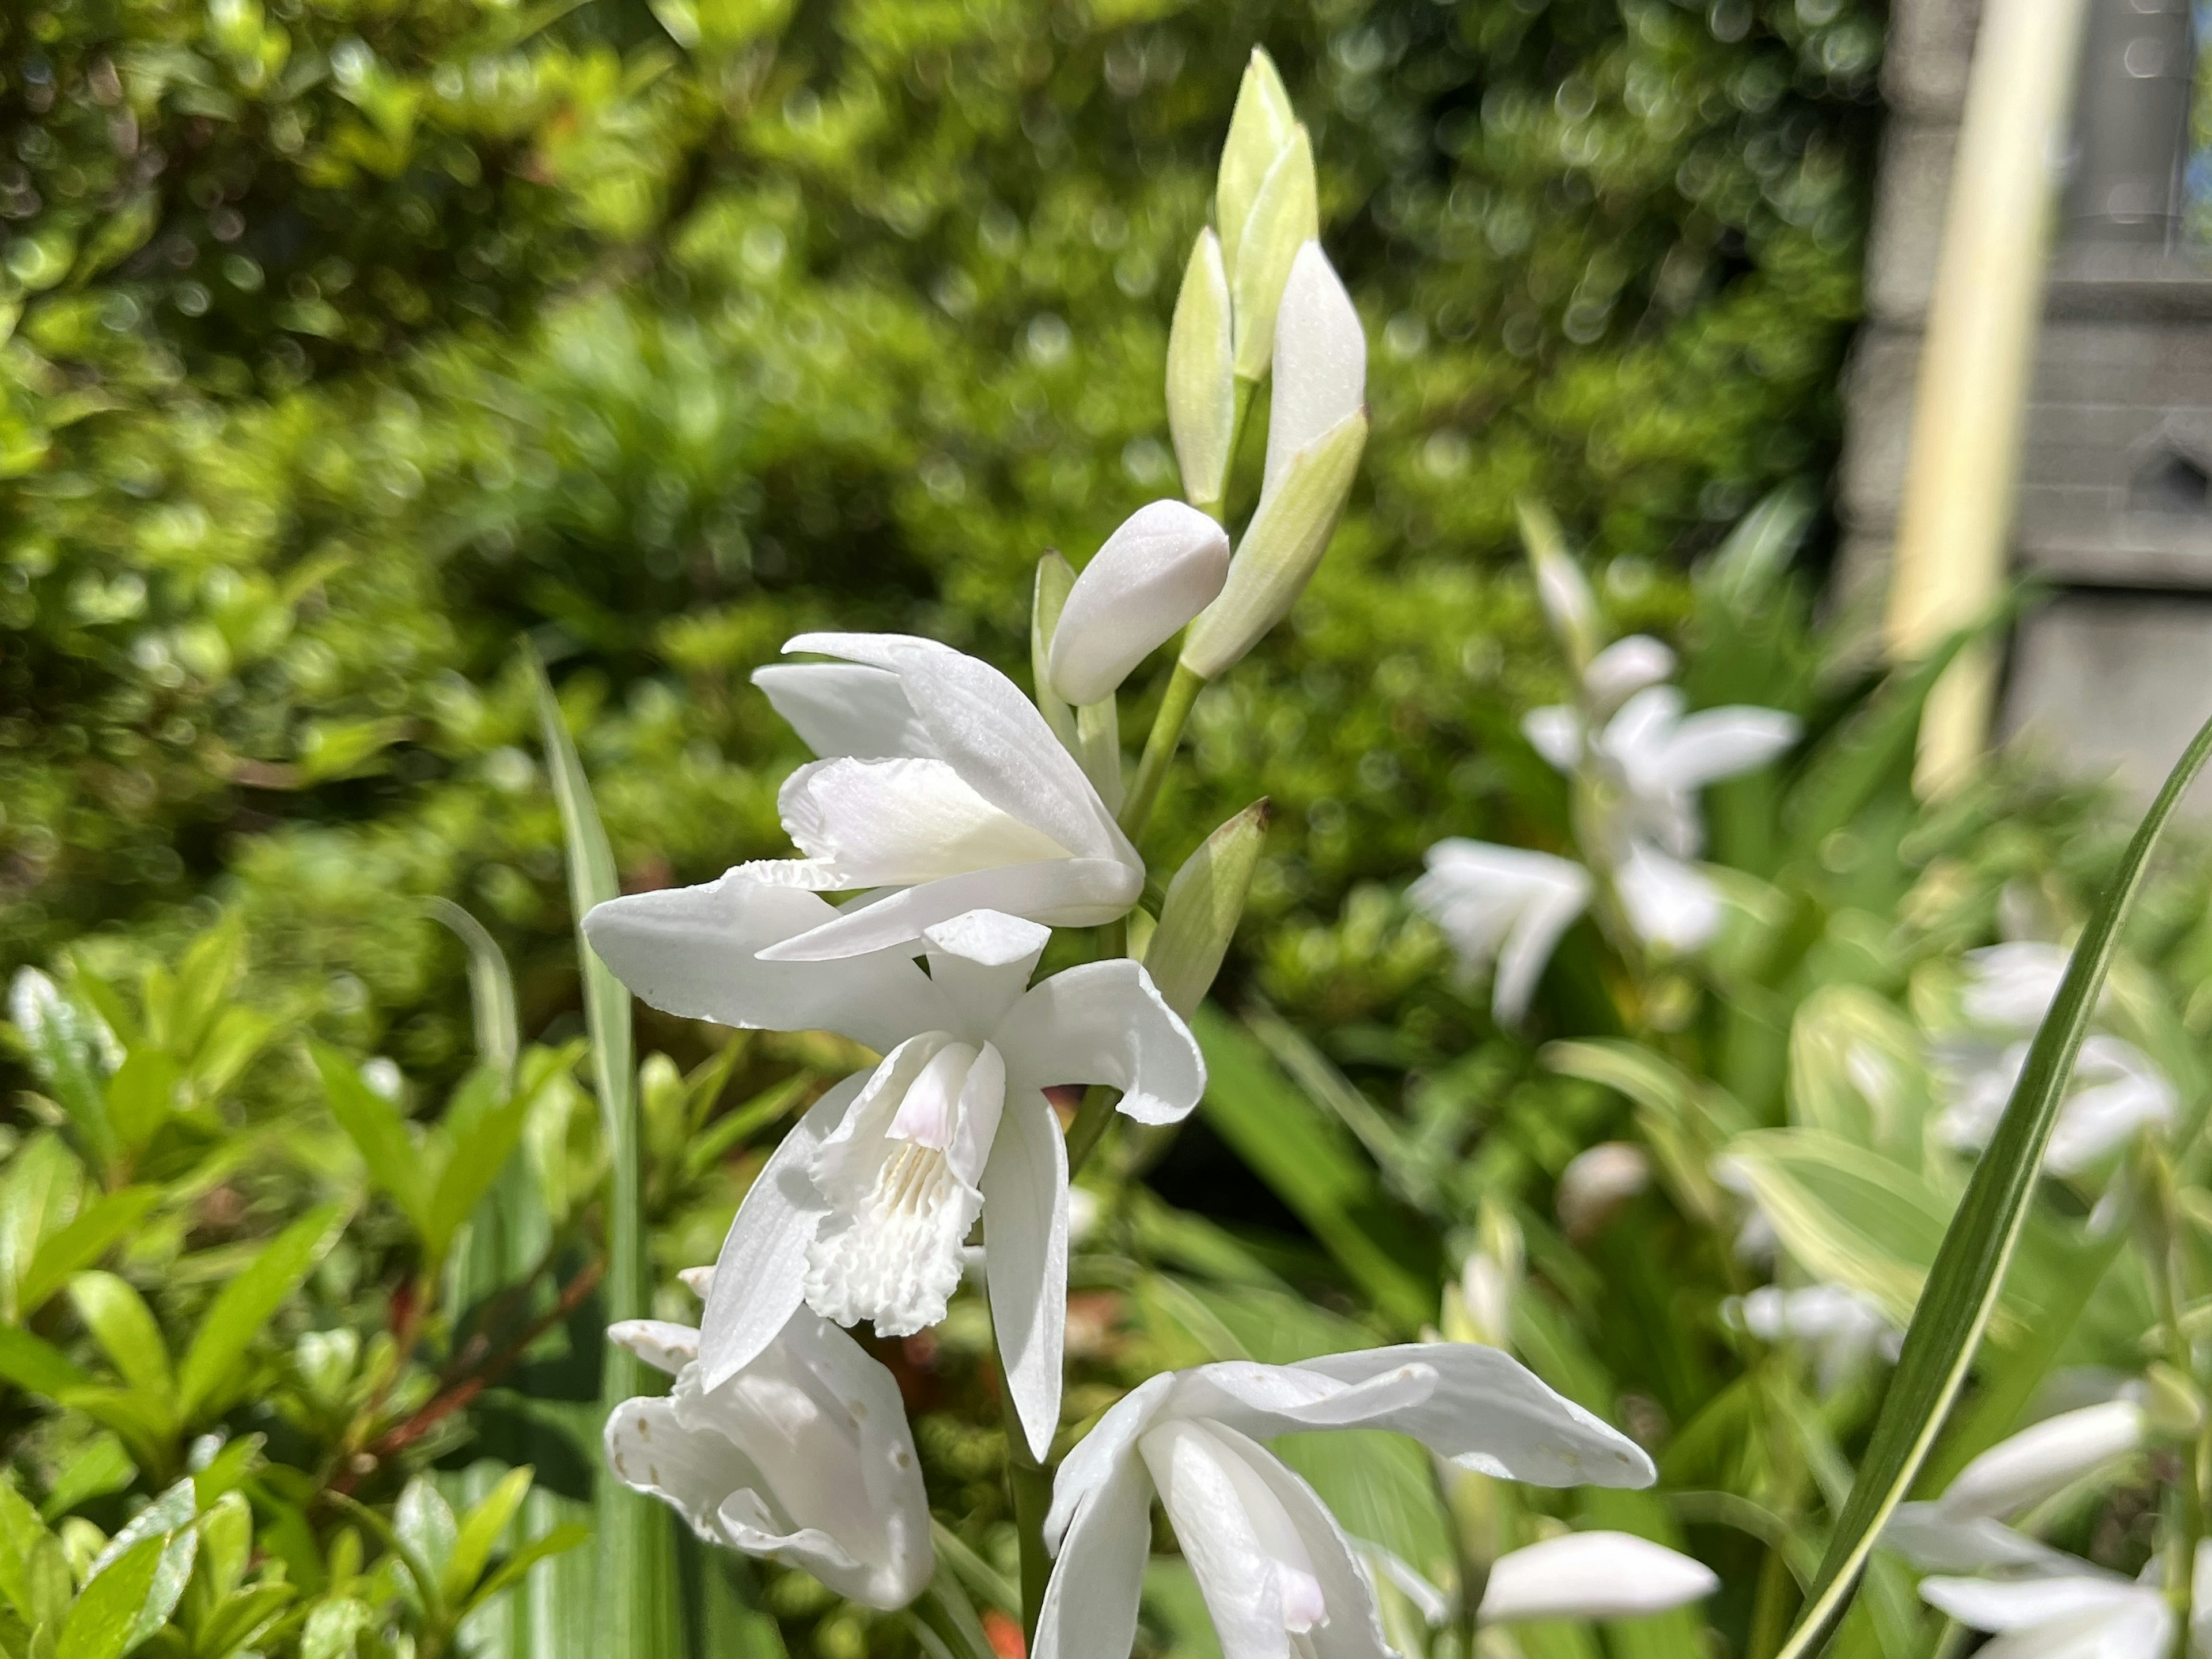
<point>1638,764</point>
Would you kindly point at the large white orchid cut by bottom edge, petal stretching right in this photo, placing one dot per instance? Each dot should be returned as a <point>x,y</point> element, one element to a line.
<point>1271,1561</point>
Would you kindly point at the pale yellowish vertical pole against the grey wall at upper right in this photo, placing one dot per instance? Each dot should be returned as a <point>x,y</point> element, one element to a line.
<point>1976,364</point>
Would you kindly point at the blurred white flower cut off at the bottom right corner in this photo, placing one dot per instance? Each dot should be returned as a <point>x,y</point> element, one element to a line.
<point>2069,1609</point>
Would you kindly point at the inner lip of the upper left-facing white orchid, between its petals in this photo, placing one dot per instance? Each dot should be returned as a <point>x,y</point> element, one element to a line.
<point>890,824</point>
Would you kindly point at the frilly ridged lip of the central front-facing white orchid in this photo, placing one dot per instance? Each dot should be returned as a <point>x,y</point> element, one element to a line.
<point>899,1178</point>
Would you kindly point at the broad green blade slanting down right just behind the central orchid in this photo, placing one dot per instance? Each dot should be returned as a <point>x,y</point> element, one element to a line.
<point>1311,1165</point>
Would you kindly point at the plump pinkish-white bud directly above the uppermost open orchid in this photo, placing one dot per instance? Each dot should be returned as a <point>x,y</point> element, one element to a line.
<point>1156,574</point>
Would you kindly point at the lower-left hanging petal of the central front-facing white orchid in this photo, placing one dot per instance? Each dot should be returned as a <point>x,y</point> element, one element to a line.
<point>760,1275</point>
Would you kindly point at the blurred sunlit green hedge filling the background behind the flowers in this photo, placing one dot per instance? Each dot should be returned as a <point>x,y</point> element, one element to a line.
<point>353,342</point>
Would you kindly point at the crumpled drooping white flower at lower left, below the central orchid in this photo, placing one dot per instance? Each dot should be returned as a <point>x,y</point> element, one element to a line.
<point>804,1457</point>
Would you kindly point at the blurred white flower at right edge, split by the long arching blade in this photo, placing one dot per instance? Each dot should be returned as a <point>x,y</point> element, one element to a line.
<point>2116,1087</point>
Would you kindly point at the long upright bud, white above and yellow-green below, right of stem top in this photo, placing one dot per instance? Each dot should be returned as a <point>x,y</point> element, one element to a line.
<point>1317,435</point>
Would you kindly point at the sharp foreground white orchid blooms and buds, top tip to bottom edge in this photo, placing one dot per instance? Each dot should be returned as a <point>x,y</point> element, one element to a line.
<point>970,822</point>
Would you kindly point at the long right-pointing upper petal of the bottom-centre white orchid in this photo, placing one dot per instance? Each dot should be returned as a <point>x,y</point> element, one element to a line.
<point>1494,1415</point>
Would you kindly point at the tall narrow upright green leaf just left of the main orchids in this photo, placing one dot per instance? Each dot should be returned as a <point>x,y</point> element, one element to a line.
<point>638,1572</point>
